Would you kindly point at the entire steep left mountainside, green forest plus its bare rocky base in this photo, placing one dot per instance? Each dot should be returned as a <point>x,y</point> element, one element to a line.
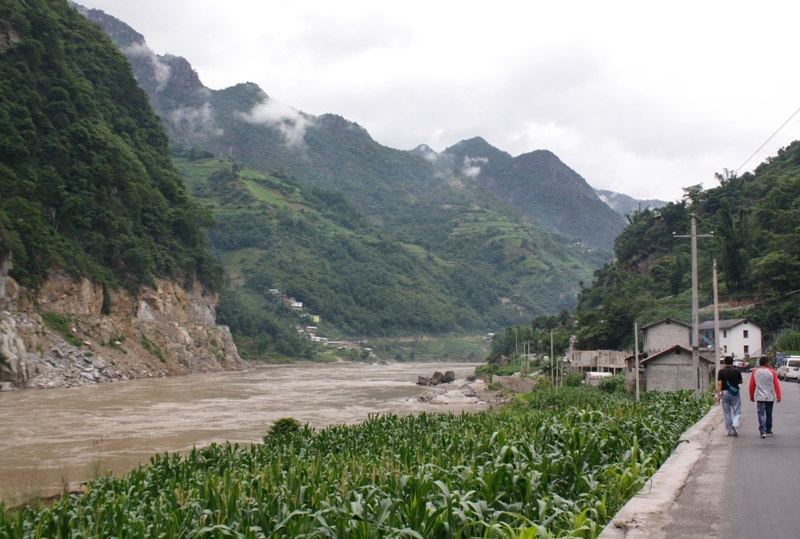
<point>110,275</point>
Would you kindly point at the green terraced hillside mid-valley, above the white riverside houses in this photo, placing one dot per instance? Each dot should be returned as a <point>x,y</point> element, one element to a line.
<point>315,246</point>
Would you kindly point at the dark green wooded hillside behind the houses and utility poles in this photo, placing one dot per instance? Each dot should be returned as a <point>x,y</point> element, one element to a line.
<point>756,221</point>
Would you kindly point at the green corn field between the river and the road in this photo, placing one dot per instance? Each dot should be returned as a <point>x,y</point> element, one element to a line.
<point>560,465</point>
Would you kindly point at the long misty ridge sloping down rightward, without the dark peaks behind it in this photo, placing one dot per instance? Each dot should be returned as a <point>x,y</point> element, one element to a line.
<point>402,194</point>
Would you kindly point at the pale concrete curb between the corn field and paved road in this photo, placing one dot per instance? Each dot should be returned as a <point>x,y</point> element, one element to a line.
<point>645,514</point>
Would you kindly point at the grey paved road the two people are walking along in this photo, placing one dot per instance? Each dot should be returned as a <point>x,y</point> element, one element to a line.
<point>745,487</point>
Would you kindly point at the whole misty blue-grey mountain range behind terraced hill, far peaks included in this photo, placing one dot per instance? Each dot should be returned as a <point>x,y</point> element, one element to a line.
<point>484,217</point>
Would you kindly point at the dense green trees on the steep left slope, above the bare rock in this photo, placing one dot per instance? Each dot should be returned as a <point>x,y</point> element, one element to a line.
<point>86,182</point>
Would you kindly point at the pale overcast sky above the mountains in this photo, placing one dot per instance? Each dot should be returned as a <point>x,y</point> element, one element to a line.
<point>642,98</point>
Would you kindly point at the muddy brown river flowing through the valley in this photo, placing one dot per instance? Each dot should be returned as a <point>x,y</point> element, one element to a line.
<point>57,436</point>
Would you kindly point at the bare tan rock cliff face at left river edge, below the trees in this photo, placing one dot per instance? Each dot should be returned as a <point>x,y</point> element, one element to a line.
<point>57,335</point>
